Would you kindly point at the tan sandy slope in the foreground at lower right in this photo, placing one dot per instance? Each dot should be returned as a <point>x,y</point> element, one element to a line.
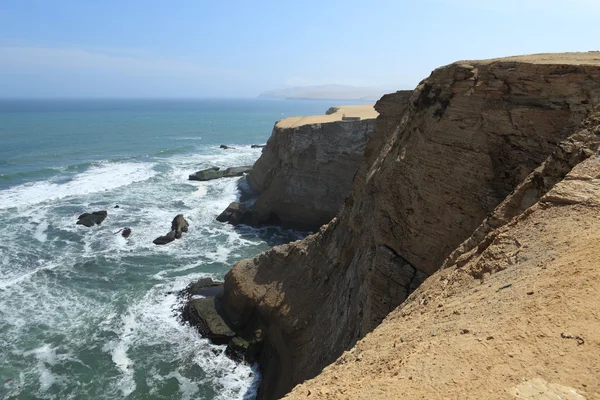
<point>517,316</point>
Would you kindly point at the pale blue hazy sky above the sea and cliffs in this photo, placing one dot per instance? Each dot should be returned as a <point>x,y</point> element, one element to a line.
<point>240,48</point>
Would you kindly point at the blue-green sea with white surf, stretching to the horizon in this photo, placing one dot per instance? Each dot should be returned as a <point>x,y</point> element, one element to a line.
<point>86,313</point>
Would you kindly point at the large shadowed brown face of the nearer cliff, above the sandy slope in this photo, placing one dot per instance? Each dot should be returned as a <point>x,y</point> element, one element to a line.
<point>469,134</point>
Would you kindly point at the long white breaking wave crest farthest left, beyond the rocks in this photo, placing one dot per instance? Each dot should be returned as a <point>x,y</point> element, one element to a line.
<point>98,178</point>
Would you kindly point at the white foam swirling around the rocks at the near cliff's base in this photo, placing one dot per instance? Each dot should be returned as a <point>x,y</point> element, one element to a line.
<point>152,322</point>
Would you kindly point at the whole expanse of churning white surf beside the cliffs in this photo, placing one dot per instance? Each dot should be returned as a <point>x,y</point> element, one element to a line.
<point>148,321</point>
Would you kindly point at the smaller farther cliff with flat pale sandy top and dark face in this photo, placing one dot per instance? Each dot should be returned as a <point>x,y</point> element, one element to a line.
<point>304,173</point>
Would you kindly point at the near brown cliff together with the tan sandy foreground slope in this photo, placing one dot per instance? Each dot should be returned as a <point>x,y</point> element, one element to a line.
<point>469,135</point>
